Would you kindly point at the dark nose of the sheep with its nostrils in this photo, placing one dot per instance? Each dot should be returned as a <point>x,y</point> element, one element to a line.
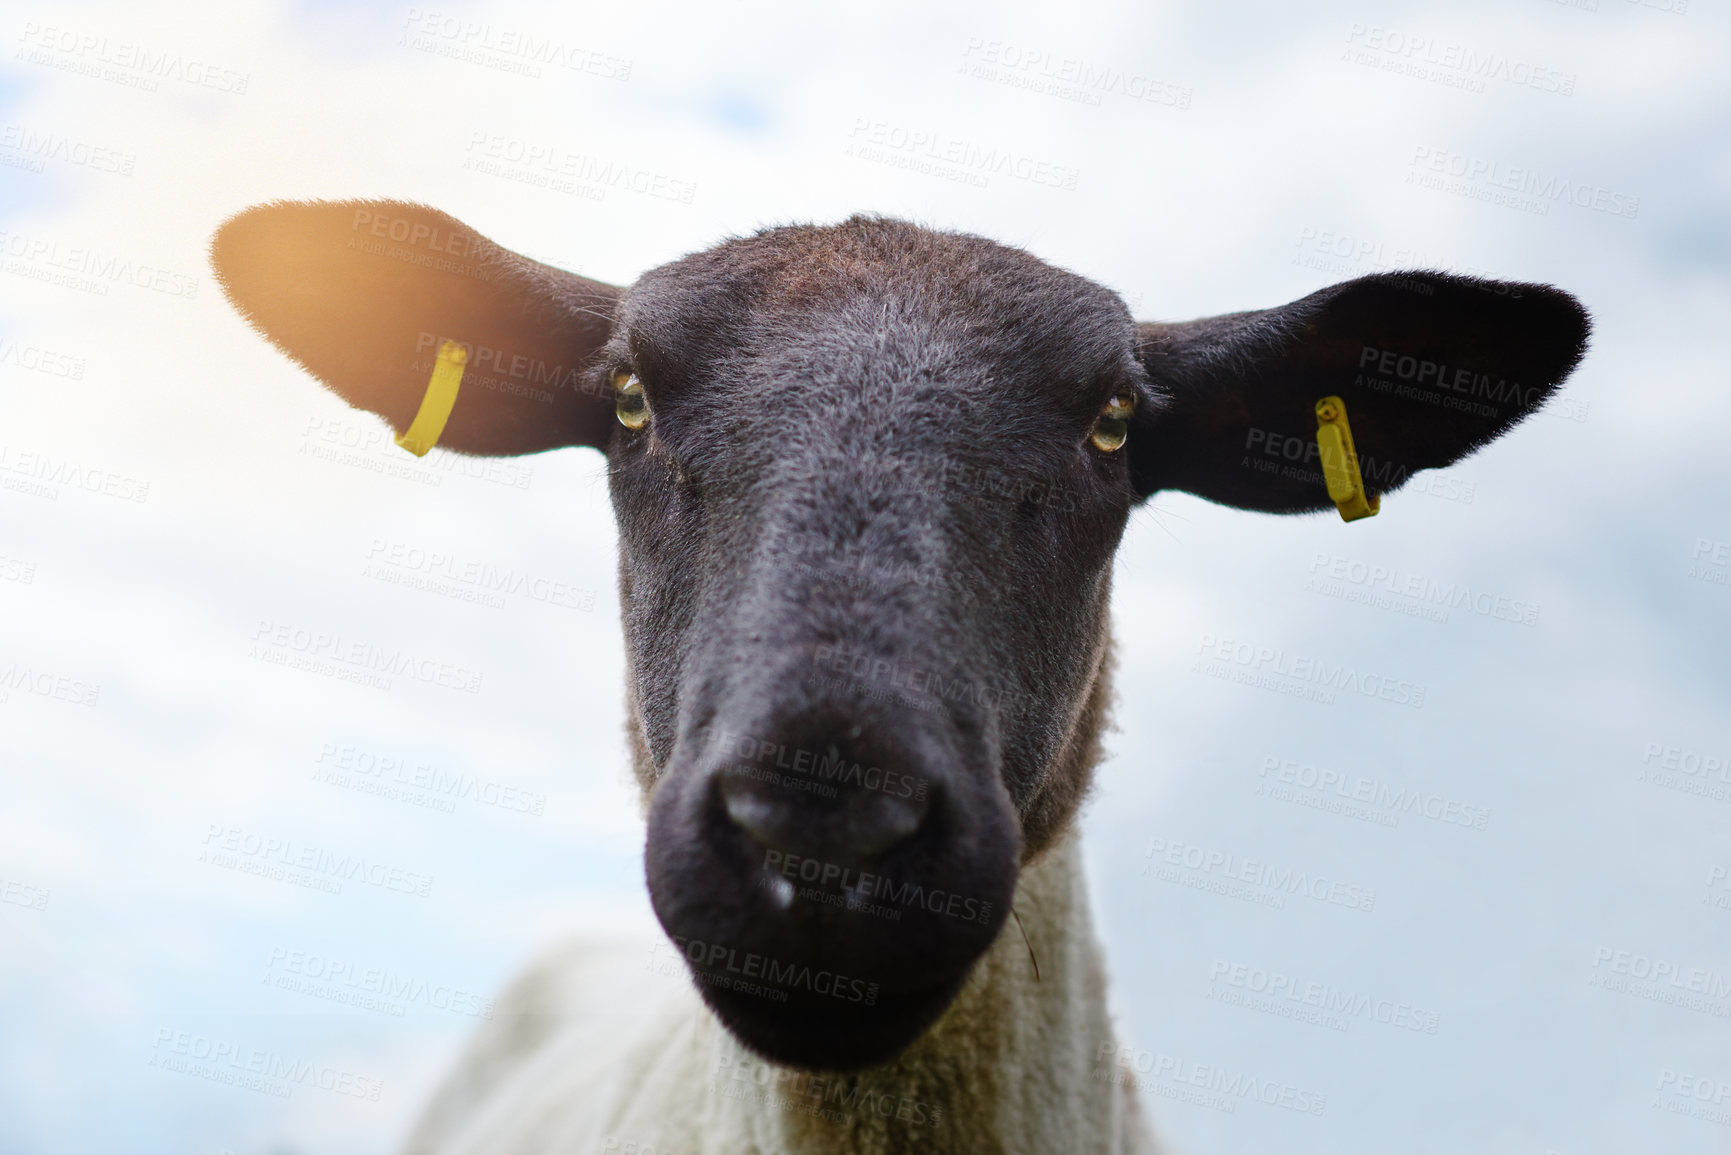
<point>853,823</point>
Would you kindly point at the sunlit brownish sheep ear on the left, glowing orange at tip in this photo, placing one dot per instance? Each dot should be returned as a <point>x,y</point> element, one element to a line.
<point>364,294</point>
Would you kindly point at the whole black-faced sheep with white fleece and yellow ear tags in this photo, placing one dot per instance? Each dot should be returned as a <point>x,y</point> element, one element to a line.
<point>870,481</point>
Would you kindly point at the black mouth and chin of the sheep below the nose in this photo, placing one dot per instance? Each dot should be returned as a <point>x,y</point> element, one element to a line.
<point>820,1021</point>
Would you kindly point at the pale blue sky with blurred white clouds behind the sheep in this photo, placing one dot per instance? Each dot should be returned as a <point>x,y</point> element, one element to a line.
<point>1547,962</point>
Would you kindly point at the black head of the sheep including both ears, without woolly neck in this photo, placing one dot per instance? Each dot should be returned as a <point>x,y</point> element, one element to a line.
<point>870,481</point>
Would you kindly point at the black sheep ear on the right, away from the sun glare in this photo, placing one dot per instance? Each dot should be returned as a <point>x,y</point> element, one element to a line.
<point>1431,368</point>
